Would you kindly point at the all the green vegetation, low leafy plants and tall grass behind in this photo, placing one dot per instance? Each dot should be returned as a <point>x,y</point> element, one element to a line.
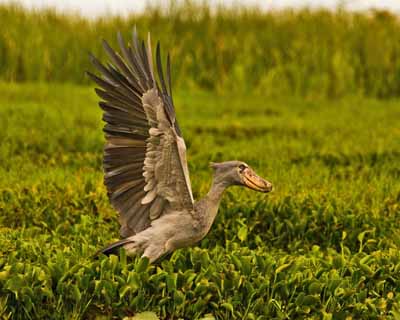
<point>251,86</point>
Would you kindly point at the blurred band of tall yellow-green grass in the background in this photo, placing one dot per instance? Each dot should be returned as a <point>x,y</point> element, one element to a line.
<point>304,52</point>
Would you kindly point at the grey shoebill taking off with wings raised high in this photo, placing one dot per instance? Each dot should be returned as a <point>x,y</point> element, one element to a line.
<point>145,168</point>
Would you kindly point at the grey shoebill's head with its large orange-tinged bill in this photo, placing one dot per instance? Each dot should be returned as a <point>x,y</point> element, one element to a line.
<point>240,173</point>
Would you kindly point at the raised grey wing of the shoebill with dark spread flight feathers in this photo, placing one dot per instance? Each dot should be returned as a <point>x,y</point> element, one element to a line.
<point>145,165</point>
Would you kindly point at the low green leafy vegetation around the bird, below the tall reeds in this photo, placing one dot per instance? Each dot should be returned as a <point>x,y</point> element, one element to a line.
<point>324,245</point>
